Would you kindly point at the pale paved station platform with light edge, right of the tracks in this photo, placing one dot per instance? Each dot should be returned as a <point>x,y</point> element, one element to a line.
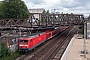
<point>73,51</point>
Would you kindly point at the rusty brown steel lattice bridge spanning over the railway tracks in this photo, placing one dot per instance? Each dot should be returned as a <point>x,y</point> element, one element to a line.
<point>43,21</point>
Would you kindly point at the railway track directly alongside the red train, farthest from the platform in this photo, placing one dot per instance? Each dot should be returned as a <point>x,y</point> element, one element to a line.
<point>39,48</point>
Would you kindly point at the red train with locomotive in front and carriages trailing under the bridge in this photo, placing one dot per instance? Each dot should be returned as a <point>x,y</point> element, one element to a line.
<point>30,42</point>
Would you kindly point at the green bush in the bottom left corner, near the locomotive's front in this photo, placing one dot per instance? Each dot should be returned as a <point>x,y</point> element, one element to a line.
<point>5,53</point>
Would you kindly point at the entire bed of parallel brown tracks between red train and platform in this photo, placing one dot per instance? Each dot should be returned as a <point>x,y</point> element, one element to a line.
<point>53,49</point>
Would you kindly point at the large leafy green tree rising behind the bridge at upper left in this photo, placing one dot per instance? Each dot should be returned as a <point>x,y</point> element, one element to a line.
<point>15,9</point>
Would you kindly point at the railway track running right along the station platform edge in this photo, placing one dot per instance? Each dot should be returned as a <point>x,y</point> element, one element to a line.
<point>58,51</point>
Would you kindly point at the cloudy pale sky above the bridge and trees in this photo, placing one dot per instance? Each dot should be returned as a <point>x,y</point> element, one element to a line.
<point>65,6</point>
